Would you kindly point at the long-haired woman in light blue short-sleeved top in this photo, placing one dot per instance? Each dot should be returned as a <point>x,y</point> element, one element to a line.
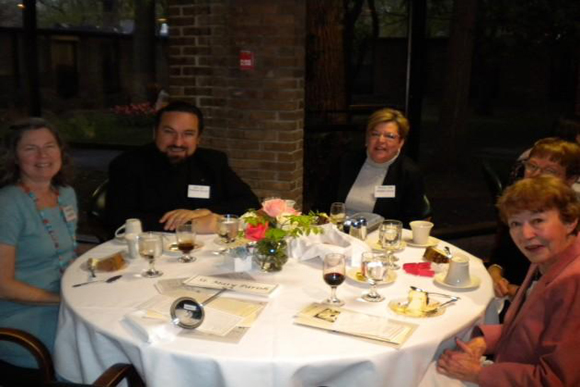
<point>38,219</point>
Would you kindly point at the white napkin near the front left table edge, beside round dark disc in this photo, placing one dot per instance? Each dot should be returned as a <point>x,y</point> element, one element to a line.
<point>151,330</point>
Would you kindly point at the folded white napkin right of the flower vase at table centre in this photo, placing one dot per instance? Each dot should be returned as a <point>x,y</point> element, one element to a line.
<point>330,241</point>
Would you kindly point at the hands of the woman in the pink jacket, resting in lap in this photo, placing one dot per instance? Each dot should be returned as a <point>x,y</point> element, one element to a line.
<point>463,364</point>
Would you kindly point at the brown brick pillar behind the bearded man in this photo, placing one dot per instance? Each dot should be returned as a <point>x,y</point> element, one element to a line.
<point>256,116</point>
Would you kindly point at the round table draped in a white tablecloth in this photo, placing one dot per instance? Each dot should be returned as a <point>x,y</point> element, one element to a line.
<point>92,334</point>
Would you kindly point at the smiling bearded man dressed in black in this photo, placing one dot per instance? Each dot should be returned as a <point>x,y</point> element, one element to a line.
<point>172,181</point>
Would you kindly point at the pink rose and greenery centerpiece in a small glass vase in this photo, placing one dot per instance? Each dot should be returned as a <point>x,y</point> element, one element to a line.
<point>270,227</point>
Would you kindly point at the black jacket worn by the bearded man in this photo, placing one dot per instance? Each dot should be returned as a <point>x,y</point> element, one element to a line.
<point>143,184</point>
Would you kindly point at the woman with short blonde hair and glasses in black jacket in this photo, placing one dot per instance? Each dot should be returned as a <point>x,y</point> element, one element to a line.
<point>380,179</point>
